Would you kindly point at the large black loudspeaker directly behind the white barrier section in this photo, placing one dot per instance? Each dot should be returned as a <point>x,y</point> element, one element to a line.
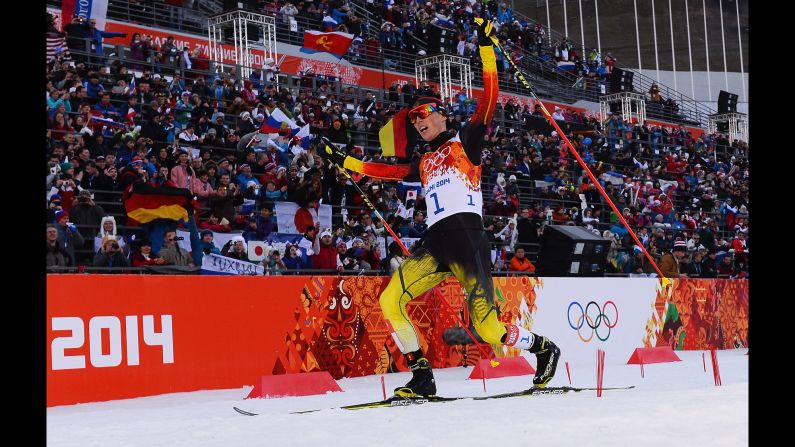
<point>568,250</point>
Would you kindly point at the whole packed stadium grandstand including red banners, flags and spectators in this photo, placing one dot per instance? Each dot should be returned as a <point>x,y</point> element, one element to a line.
<point>161,154</point>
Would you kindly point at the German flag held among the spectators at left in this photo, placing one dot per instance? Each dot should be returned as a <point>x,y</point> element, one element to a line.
<point>145,203</point>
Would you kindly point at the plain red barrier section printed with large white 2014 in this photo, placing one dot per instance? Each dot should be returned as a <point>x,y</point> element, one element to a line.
<point>114,337</point>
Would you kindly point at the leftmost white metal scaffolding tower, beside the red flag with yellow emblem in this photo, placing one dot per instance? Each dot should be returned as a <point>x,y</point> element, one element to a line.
<point>240,21</point>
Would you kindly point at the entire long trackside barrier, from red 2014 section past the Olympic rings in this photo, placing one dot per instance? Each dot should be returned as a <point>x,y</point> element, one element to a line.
<point>123,336</point>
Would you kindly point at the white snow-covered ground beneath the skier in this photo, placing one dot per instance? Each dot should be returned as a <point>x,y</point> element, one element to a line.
<point>675,404</point>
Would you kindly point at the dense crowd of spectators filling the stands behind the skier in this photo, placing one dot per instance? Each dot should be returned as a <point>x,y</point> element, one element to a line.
<point>184,129</point>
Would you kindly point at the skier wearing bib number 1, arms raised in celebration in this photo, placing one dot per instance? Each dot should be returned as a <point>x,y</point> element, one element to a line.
<point>456,242</point>
